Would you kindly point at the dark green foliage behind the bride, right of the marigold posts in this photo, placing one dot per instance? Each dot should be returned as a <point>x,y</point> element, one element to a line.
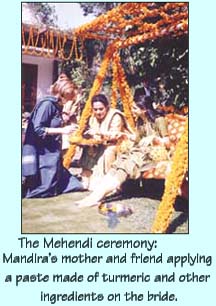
<point>163,63</point>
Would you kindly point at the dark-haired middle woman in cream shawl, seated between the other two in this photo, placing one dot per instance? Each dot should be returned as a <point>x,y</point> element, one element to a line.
<point>105,124</point>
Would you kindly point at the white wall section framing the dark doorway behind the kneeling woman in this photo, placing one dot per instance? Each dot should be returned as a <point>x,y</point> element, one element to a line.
<point>45,72</point>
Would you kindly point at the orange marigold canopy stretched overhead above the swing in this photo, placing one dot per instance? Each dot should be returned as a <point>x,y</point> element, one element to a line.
<point>113,24</point>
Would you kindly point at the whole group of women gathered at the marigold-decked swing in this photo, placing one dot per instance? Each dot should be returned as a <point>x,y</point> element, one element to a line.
<point>121,152</point>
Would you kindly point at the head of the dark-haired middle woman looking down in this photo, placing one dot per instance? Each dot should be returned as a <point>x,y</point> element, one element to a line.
<point>100,106</point>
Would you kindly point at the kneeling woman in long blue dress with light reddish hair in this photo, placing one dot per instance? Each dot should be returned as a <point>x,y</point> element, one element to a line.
<point>42,166</point>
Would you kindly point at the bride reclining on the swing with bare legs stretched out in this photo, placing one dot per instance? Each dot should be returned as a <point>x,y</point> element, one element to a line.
<point>138,155</point>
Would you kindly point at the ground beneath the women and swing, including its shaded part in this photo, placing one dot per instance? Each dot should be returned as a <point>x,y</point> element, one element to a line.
<point>61,215</point>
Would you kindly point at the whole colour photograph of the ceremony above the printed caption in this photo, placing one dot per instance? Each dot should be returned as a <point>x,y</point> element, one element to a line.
<point>104,117</point>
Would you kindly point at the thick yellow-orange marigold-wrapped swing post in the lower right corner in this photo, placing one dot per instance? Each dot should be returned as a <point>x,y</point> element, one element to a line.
<point>172,184</point>
